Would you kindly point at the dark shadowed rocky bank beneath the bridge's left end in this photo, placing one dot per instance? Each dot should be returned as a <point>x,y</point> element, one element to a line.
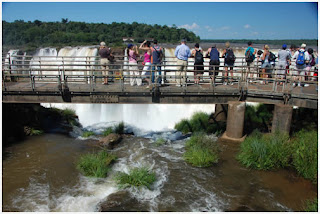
<point>16,117</point>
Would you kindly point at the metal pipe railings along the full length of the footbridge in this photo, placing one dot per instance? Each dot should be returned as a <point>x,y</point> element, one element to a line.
<point>73,70</point>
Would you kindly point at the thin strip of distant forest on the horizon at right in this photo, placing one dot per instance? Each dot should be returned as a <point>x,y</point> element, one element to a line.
<point>297,42</point>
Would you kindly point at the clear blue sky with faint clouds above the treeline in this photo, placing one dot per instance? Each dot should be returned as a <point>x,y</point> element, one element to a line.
<point>209,20</point>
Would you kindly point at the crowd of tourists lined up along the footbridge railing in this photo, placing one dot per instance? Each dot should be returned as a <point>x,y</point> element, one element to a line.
<point>260,64</point>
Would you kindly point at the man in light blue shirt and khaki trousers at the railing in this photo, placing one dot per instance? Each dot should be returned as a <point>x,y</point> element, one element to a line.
<point>182,52</point>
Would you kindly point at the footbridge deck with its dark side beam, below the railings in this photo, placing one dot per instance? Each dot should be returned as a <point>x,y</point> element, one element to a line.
<point>124,93</point>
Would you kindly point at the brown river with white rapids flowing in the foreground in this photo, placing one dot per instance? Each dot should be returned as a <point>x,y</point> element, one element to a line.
<point>39,174</point>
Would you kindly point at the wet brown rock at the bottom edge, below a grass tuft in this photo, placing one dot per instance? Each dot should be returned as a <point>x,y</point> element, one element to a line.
<point>120,201</point>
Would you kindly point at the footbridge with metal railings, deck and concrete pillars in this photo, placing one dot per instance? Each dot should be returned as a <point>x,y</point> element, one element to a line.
<point>70,80</point>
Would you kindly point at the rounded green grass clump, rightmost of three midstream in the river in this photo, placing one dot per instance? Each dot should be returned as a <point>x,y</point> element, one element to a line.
<point>201,151</point>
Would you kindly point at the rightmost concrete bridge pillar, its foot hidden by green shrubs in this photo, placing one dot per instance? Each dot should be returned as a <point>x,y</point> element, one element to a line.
<point>282,116</point>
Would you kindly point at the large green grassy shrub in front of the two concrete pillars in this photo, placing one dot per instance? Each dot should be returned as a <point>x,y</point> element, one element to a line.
<point>265,151</point>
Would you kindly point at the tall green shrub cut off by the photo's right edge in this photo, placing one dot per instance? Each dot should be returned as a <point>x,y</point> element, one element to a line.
<point>305,154</point>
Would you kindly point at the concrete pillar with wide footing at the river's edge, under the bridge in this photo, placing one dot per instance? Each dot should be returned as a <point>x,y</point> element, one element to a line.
<point>235,119</point>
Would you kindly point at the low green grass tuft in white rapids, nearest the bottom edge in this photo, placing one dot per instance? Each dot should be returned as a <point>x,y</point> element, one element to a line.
<point>137,177</point>
